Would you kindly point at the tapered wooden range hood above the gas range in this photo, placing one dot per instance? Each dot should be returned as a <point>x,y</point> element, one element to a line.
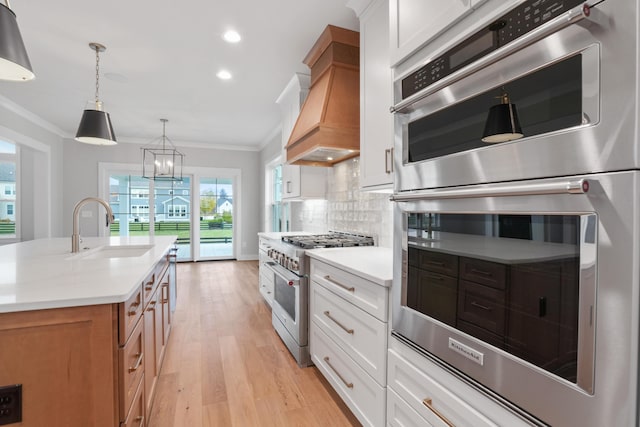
<point>327,130</point>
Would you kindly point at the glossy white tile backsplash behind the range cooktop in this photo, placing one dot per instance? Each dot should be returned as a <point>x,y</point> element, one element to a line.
<point>347,208</point>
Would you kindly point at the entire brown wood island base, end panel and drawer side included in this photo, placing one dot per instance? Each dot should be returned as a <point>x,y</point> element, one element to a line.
<point>86,366</point>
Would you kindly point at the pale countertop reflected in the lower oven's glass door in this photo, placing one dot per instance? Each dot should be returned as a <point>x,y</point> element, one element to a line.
<point>496,249</point>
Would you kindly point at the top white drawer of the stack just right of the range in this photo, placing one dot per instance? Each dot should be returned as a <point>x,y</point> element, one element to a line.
<point>362,293</point>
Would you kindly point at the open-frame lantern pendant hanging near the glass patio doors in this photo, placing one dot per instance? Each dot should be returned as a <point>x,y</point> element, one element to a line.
<point>161,161</point>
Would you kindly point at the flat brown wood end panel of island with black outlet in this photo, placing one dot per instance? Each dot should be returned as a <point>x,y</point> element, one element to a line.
<point>66,361</point>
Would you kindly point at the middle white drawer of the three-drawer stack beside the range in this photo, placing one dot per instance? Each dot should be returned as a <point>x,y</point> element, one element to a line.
<point>360,335</point>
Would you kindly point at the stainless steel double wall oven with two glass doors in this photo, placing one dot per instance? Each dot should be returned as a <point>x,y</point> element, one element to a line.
<point>516,263</point>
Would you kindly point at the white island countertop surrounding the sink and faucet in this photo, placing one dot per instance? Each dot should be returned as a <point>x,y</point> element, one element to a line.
<point>41,274</point>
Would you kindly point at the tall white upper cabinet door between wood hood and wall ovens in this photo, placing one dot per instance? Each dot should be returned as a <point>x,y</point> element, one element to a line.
<point>376,95</point>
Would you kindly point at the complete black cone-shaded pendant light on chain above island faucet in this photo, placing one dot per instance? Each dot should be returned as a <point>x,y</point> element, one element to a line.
<point>95,126</point>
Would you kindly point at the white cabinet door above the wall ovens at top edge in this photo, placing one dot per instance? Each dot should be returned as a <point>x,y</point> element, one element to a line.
<point>416,22</point>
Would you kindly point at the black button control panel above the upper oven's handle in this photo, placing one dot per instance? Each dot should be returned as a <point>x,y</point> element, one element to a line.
<point>516,23</point>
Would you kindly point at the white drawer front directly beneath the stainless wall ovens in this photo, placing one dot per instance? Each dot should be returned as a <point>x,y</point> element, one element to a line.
<point>415,386</point>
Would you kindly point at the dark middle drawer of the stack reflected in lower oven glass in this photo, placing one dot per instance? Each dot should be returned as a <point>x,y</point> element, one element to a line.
<point>482,306</point>
